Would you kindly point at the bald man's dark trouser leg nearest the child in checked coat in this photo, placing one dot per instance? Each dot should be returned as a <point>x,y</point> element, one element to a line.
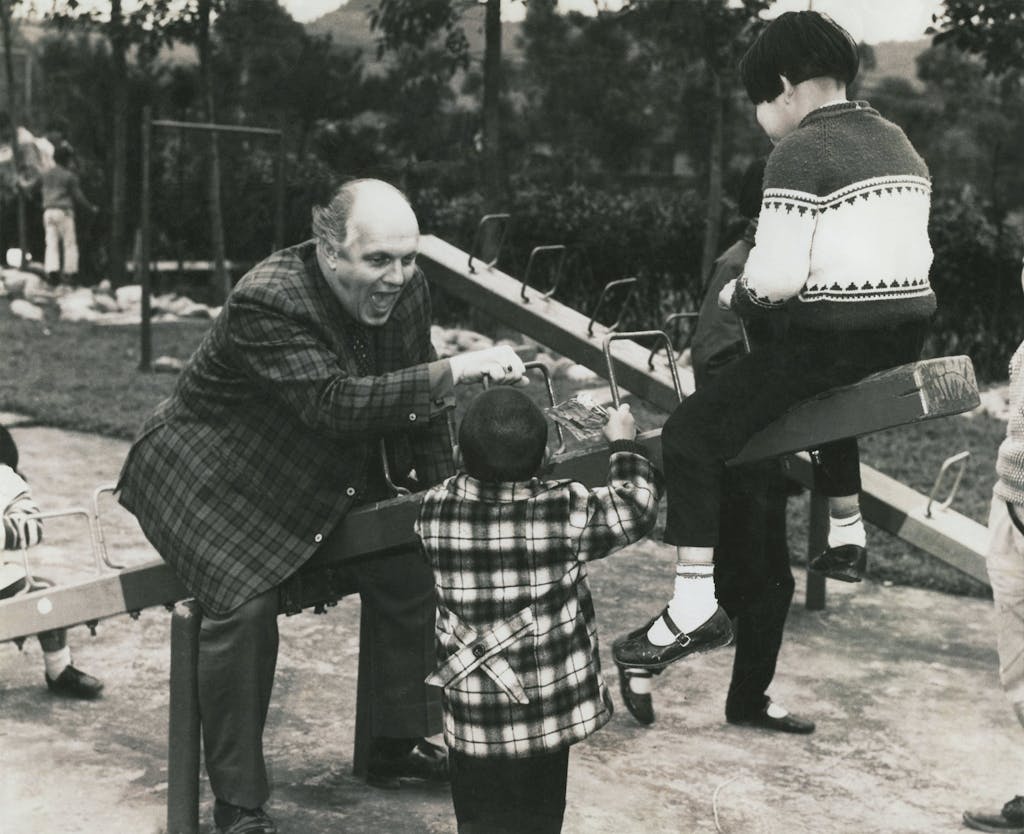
<point>398,593</point>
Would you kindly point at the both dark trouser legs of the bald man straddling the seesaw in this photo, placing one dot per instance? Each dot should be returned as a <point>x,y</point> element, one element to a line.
<point>239,652</point>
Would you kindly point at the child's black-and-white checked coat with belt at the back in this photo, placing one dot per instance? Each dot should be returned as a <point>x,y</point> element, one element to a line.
<point>518,648</point>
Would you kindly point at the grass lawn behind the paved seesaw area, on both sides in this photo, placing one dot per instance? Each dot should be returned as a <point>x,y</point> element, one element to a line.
<point>87,378</point>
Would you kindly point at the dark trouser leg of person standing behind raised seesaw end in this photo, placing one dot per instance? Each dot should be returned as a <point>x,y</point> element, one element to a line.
<point>754,580</point>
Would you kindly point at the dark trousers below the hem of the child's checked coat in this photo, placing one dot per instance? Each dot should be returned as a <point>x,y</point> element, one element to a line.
<point>509,797</point>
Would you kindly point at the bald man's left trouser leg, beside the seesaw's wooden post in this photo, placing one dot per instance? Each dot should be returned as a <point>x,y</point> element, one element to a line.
<point>238,656</point>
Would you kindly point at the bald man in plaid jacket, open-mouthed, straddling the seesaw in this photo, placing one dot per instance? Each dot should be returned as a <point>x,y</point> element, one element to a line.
<point>271,438</point>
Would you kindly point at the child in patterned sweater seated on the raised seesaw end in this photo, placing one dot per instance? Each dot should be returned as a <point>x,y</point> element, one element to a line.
<point>842,247</point>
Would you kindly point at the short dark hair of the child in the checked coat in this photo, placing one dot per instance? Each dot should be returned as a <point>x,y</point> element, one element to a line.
<point>503,437</point>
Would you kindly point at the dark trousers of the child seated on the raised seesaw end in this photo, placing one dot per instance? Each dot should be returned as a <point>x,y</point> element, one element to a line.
<point>712,426</point>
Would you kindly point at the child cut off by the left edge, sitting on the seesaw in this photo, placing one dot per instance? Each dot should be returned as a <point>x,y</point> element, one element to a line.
<point>19,532</point>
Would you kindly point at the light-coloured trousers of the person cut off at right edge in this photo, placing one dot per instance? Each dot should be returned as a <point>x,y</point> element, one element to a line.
<point>1006,572</point>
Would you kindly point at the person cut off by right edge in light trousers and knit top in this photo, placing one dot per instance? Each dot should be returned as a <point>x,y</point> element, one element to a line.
<point>1005,562</point>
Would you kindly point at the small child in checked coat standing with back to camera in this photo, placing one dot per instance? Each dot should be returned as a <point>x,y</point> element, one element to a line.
<point>517,635</point>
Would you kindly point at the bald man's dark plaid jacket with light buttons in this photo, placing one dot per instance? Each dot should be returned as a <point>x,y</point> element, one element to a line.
<point>269,438</point>
